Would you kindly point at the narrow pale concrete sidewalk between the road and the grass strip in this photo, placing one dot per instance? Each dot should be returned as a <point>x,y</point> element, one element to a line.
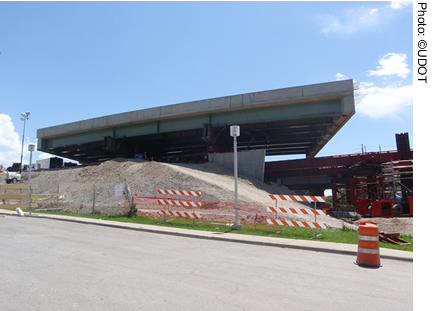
<point>337,248</point>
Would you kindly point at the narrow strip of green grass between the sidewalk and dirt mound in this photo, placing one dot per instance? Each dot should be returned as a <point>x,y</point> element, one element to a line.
<point>344,235</point>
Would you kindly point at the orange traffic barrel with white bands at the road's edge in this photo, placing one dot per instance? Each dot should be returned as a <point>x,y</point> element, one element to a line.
<point>368,244</point>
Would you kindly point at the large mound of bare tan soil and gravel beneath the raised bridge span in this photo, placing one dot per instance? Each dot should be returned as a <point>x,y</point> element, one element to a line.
<point>92,188</point>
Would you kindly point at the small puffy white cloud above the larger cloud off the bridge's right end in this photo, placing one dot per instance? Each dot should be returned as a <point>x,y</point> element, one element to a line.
<point>392,64</point>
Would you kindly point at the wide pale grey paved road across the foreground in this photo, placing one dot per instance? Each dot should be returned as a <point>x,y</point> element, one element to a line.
<point>55,265</point>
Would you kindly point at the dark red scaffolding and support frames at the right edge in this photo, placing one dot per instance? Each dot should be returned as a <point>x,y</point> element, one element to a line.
<point>378,189</point>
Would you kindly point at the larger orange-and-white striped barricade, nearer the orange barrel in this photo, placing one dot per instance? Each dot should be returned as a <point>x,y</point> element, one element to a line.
<point>301,211</point>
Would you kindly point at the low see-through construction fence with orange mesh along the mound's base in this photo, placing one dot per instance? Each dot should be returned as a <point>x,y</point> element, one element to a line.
<point>110,199</point>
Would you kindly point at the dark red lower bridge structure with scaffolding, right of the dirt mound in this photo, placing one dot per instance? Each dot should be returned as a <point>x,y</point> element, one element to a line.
<point>384,179</point>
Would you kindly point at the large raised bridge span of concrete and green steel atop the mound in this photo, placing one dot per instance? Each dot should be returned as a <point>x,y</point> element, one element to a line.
<point>287,121</point>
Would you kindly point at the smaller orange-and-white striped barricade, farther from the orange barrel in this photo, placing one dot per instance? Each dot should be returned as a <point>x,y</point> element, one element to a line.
<point>175,202</point>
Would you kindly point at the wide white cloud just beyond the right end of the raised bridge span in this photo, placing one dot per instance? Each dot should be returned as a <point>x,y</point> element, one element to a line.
<point>386,102</point>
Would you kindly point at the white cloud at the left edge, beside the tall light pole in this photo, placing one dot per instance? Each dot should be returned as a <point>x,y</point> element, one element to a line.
<point>10,145</point>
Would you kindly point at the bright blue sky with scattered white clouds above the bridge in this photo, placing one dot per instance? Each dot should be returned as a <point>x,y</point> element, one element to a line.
<point>70,61</point>
